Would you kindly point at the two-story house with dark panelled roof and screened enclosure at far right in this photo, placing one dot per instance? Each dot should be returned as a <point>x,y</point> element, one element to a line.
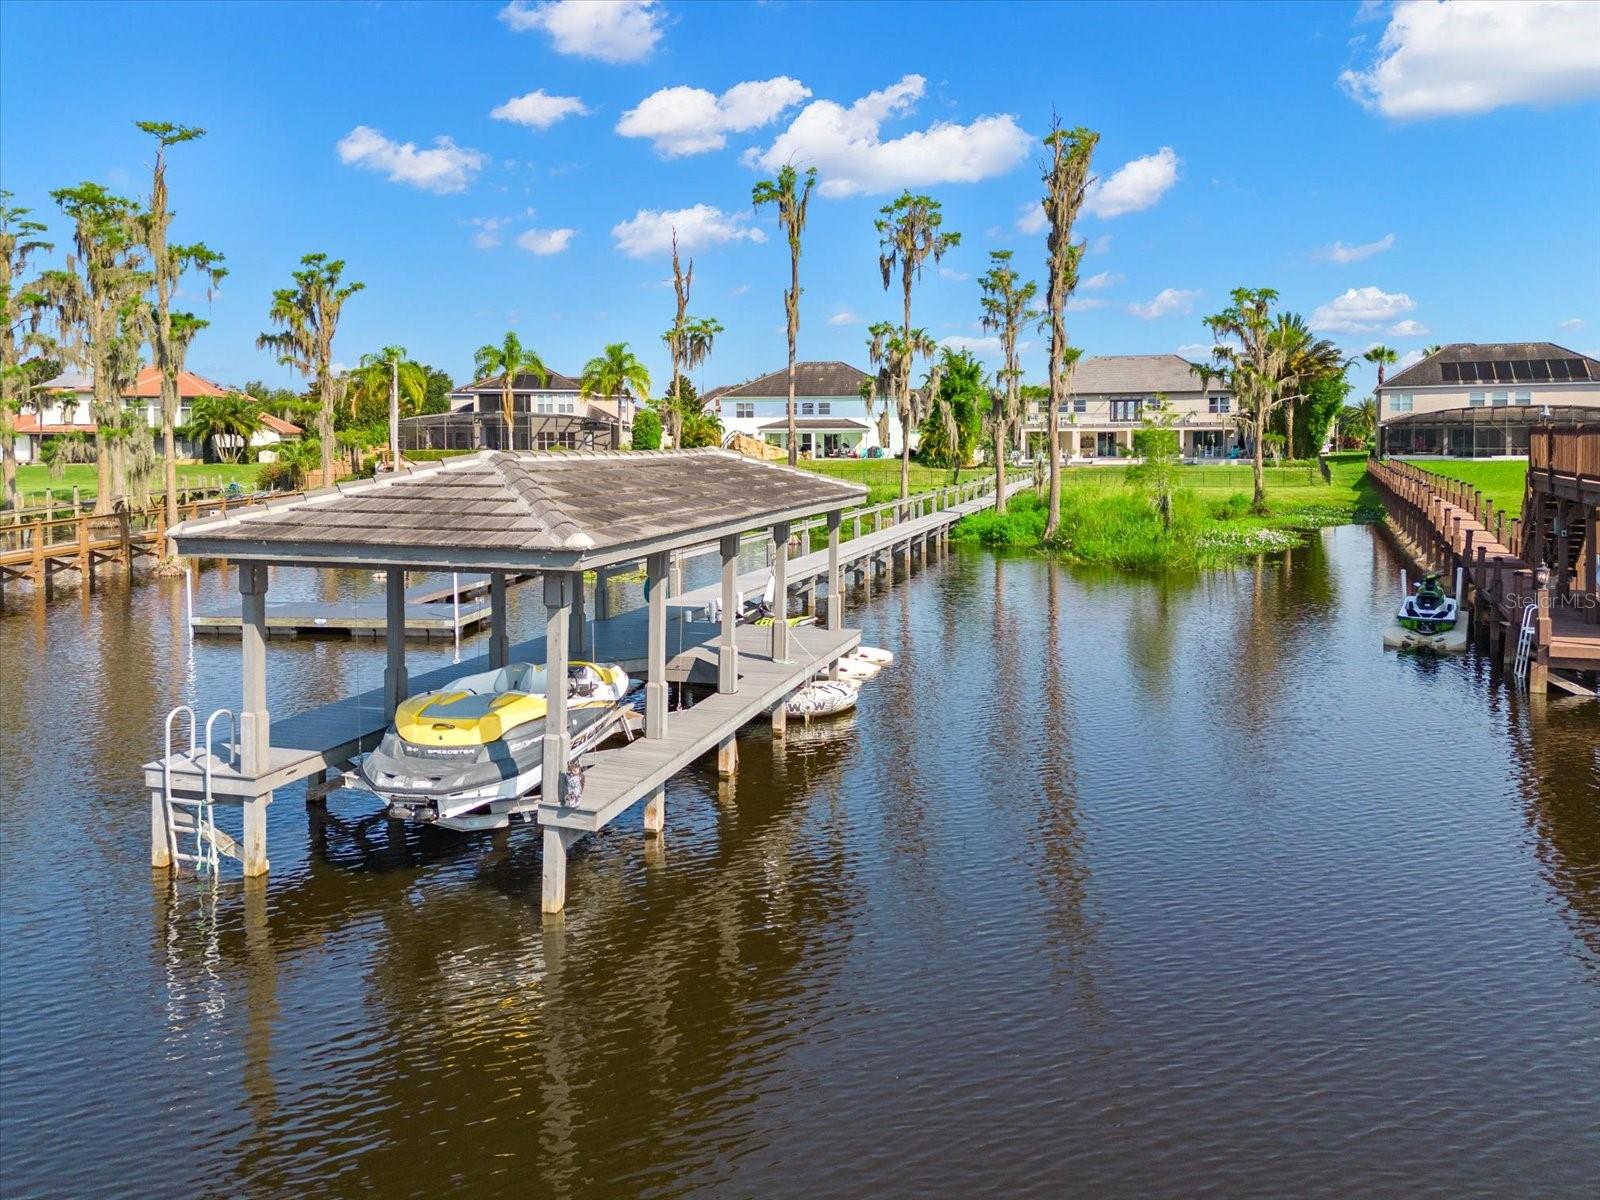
<point>1481,399</point>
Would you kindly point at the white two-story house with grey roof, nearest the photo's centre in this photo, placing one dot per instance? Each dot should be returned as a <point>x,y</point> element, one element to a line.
<point>831,415</point>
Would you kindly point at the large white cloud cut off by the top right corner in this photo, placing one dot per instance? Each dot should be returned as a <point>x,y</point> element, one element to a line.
<point>1444,60</point>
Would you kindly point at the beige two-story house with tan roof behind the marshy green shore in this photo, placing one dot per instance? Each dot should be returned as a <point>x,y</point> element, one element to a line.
<point>1111,394</point>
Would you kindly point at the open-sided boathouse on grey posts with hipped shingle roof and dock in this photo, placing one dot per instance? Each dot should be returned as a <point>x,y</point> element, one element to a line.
<point>556,514</point>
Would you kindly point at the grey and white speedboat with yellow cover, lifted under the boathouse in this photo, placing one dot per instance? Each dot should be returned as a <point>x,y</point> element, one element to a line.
<point>465,754</point>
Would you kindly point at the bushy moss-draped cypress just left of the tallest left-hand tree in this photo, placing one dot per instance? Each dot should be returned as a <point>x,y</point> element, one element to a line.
<point>94,300</point>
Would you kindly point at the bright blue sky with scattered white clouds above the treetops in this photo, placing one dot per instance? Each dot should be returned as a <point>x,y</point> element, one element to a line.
<point>1402,174</point>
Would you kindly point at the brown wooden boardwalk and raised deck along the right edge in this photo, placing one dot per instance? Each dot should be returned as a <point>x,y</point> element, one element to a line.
<point>1538,567</point>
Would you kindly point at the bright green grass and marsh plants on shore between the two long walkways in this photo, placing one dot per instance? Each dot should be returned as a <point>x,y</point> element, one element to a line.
<point>1108,521</point>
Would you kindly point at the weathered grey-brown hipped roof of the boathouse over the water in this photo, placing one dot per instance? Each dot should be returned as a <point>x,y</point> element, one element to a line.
<point>513,511</point>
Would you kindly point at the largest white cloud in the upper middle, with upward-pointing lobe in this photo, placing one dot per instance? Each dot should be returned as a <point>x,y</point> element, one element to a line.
<point>852,156</point>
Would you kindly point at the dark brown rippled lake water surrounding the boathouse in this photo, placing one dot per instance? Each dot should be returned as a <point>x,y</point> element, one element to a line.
<point>1110,889</point>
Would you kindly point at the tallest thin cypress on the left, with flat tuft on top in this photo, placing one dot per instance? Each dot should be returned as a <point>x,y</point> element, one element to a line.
<point>169,263</point>
